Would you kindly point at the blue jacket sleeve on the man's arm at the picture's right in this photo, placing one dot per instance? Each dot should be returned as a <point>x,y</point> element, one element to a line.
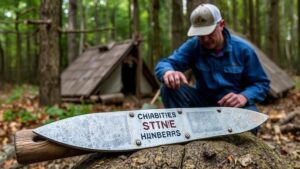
<point>255,81</point>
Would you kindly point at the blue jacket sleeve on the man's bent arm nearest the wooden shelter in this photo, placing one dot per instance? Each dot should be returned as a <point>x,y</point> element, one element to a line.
<point>180,59</point>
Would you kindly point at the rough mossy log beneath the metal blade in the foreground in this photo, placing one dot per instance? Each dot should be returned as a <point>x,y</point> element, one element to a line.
<point>236,151</point>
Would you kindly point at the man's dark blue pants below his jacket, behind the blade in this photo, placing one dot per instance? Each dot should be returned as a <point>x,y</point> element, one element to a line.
<point>187,96</point>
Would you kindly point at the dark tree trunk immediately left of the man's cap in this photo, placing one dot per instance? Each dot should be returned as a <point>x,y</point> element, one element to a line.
<point>177,24</point>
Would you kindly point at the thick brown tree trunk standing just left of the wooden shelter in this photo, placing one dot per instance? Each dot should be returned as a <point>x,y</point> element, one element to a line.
<point>49,54</point>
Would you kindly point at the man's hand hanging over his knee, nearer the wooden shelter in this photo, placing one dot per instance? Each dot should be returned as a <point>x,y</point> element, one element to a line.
<point>174,79</point>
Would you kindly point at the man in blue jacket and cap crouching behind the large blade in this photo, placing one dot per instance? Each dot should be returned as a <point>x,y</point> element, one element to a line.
<point>227,70</point>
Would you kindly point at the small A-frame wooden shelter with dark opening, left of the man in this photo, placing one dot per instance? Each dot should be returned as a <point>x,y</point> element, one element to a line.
<point>108,73</point>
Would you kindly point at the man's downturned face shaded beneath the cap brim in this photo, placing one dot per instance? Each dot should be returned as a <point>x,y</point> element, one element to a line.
<point>214,40</point>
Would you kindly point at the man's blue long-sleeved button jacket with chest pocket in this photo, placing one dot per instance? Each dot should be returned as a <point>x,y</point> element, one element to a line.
<point>236,68</point>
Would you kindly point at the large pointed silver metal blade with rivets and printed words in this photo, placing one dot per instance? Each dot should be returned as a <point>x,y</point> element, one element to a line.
<point>136,129</point>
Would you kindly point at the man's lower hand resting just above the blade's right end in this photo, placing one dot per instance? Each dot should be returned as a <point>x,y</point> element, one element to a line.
<point>233,100</point>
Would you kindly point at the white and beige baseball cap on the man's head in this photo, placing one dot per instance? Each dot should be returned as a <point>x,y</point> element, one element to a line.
<point>204,20</point>
